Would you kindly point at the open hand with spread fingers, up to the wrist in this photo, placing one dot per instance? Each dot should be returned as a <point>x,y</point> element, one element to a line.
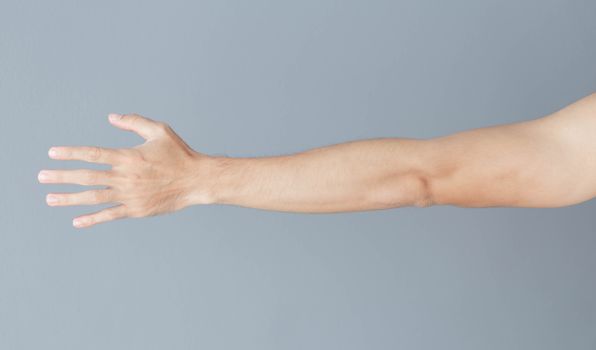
<point>159,176</point>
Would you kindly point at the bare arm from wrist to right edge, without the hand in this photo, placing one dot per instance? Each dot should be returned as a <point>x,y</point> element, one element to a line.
<point>547,162</point>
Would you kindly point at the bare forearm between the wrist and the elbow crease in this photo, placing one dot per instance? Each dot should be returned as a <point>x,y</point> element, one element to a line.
<point>360,175</point>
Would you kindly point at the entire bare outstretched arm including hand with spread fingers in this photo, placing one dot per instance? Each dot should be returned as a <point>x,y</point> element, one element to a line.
<point>546,162</point>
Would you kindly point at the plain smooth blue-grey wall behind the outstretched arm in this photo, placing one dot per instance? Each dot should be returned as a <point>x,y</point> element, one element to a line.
<point>269,77</point>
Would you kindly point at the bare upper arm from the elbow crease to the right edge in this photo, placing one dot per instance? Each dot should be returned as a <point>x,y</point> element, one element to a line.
<point>547,162</point>
